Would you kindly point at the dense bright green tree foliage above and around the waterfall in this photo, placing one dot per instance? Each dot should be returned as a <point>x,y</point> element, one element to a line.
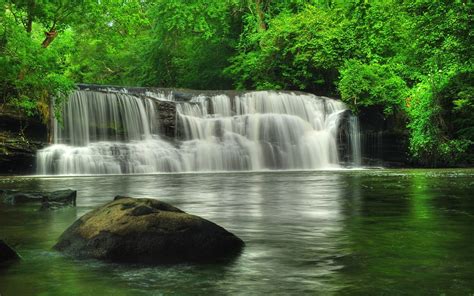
<point>411,59</point>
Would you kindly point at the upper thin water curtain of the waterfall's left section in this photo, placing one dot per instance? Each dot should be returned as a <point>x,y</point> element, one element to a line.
<point>97,116</point>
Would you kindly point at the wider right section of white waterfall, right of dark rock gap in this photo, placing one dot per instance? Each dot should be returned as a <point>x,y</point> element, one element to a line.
<point>265,130</point>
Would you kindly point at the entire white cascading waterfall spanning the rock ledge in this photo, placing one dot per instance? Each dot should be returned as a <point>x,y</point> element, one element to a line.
<point>115,132</point>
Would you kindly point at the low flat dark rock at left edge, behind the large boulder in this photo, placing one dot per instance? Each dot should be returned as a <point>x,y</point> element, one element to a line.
<point>49,200</point>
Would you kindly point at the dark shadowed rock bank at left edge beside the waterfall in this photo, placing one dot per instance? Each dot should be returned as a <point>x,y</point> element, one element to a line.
<point>20,138</point>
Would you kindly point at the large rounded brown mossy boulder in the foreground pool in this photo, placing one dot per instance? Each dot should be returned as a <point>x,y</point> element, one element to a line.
<point>147,231</point>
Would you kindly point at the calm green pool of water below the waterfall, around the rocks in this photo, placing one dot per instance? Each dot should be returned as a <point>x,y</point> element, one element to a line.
<point>337,232</point>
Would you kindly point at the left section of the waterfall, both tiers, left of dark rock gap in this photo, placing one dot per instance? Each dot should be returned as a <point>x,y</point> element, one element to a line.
<point>108,133</point>
